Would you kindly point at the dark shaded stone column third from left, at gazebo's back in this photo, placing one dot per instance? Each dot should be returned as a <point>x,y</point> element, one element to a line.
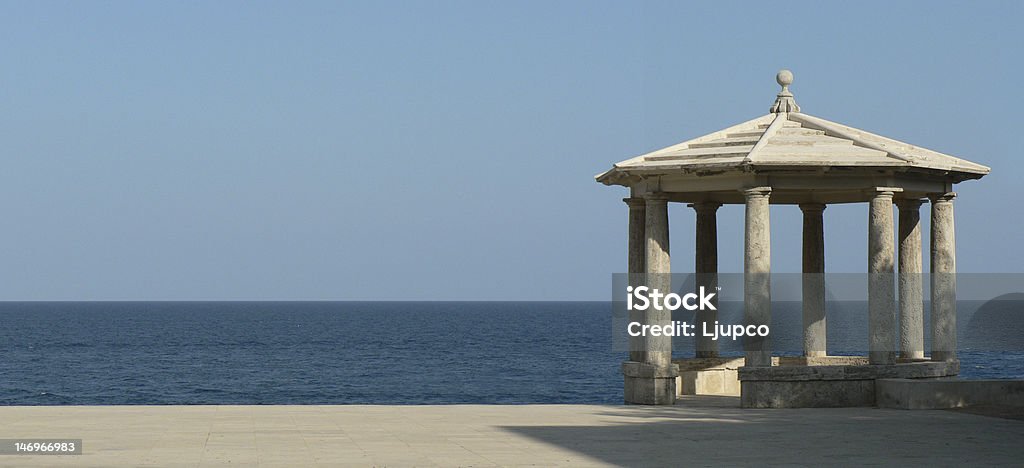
<point>706,268</point>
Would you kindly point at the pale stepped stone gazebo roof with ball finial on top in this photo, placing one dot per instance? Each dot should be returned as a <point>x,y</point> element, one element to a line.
<point>789,142</point>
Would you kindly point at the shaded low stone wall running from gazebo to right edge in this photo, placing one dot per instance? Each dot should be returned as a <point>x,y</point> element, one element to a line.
<point>945,394</point>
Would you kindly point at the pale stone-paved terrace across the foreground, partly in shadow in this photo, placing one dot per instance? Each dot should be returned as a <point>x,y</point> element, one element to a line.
<point>698,432</point>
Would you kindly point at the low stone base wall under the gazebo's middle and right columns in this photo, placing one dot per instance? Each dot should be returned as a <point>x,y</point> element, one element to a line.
<point>829,387</point>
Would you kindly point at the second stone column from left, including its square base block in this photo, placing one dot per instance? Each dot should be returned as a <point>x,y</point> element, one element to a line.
<point>653,379</point>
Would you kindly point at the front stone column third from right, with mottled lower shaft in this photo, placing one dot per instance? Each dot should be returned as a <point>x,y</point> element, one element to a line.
<point>881,287</point>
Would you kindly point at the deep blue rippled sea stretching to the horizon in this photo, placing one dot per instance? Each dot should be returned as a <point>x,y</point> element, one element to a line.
<point>338,353</point>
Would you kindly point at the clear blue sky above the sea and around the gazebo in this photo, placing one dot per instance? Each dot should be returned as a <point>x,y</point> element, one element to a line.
<point>446,150</point>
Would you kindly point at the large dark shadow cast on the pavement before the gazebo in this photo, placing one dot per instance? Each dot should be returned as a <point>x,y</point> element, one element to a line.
<point>715,432</point>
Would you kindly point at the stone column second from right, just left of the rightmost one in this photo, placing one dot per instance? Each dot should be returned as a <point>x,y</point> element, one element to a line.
<point>912,314</point>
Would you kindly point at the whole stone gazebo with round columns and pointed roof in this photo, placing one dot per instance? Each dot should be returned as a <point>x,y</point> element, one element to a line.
<point>791,158</point>
